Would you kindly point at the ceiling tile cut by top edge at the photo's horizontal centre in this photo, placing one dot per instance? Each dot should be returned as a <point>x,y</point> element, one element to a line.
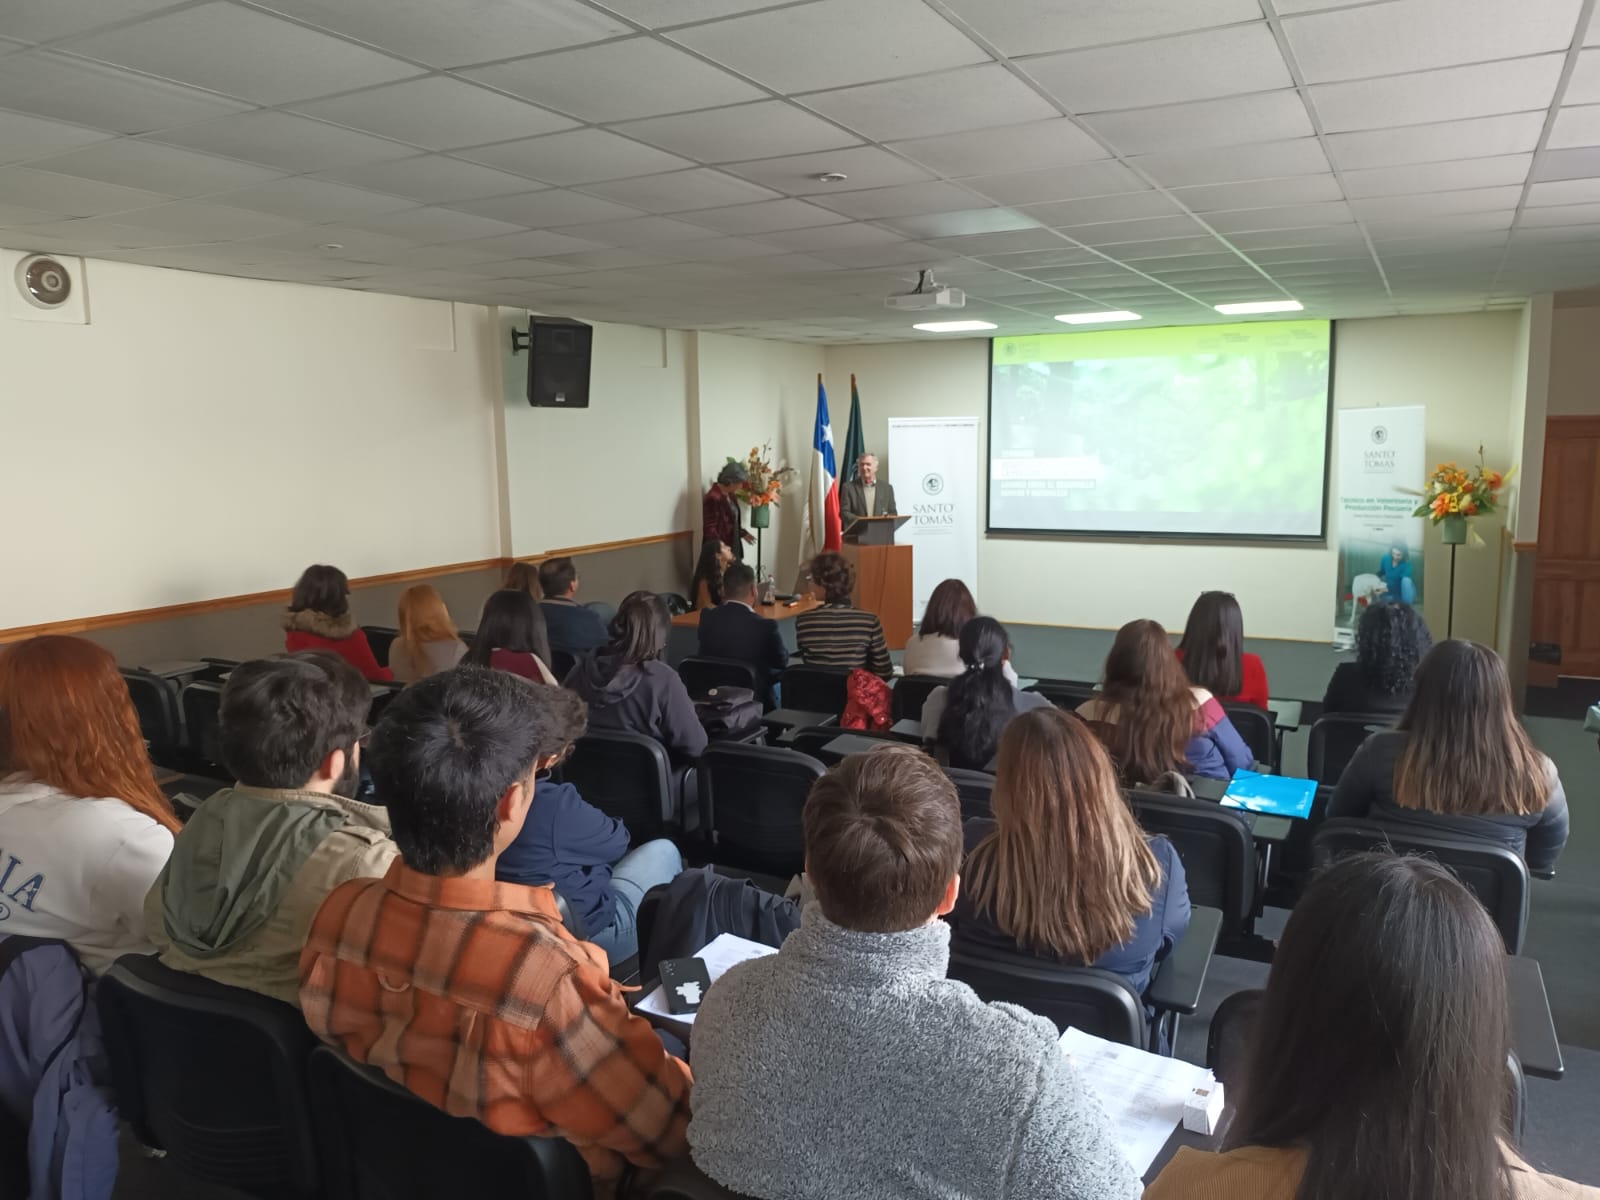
<point>802,49</point>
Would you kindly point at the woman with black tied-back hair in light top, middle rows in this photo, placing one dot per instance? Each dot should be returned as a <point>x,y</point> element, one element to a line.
<point>964,721</point>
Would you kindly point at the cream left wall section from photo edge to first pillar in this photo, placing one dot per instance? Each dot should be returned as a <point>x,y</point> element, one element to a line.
<point>209,436</point>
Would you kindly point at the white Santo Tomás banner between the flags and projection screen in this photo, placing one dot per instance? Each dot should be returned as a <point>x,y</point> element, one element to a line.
<point>934,466</point>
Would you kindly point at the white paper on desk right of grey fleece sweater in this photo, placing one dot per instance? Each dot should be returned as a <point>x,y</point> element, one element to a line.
<point>1143,1094</point>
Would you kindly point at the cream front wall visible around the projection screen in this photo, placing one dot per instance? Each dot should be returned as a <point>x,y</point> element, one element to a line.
<point>1458,367</point>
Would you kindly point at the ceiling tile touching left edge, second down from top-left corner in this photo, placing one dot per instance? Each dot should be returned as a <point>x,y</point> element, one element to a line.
<point>92,94</point>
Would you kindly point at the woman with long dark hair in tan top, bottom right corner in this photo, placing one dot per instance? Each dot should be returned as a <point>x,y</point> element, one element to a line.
<point>1378,1063</point>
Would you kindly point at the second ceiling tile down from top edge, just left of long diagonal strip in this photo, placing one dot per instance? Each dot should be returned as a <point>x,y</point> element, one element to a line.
<point>1166,71</point>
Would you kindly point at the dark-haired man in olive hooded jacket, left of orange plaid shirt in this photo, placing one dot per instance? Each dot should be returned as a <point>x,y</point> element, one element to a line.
<point>255,862</point>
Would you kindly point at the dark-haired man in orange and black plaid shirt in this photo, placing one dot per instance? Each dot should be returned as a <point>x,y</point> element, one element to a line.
<point>468,991</point>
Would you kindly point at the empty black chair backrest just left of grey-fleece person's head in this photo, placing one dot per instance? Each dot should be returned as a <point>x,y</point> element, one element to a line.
<point>751,802</point>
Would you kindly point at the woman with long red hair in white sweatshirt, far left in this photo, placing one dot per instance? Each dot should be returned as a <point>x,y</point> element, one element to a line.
<point>84,828</point>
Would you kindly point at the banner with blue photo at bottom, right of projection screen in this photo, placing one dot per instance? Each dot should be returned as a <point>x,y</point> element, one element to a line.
<point>1383,463</point>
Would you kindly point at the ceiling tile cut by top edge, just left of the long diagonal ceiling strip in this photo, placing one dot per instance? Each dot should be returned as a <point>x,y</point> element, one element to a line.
<point>1034,26</point>
